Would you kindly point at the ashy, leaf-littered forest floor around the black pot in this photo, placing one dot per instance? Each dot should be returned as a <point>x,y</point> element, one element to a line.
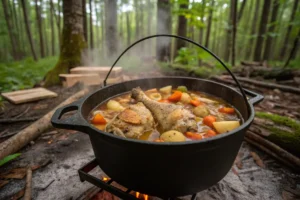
<point>58,154</point>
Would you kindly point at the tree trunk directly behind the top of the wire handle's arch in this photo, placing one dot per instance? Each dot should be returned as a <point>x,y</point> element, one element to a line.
<point>163,44</point>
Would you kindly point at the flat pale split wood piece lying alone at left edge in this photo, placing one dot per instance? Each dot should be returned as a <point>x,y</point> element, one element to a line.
<point>28,95</point>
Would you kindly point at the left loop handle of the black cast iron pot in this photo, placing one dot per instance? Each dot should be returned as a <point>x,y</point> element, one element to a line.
<point>73,122</point>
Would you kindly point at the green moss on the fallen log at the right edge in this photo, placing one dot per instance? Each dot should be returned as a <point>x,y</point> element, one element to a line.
<point>286,139</point>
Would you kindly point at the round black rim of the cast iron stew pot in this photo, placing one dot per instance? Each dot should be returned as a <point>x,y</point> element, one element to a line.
<point>136,141</point>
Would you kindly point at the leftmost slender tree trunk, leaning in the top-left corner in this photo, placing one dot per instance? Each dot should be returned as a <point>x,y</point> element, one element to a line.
<point>10,30</point>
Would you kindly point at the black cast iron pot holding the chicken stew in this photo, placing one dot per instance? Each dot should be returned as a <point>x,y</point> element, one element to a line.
<point>163,169</point>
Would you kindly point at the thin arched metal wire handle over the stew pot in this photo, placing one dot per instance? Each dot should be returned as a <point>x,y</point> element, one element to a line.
<point>188,40</point>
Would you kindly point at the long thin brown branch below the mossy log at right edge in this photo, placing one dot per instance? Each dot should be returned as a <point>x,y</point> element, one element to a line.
<point>274,148</point>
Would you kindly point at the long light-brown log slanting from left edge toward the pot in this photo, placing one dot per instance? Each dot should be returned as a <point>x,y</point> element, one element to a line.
<point>31,132</point>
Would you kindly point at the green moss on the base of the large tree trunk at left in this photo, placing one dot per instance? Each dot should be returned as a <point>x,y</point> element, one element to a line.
<point>72,45</point>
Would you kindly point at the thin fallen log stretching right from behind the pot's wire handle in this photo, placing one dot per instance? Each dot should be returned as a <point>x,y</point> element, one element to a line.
<point>267,84</point>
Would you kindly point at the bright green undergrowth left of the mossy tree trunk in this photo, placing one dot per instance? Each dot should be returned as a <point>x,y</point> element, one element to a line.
<point>24,74</point>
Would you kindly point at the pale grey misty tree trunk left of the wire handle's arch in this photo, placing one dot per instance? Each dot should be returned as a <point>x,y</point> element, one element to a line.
<point>111,27</point>
